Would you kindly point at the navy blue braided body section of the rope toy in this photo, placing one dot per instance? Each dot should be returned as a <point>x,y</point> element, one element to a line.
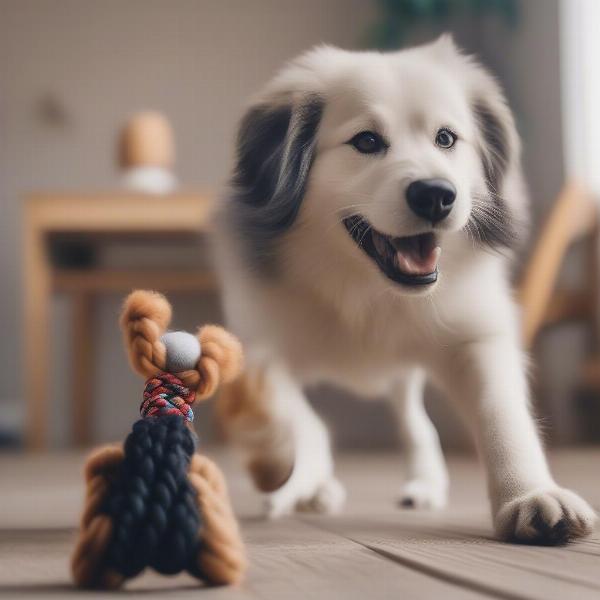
<point>152,504</point>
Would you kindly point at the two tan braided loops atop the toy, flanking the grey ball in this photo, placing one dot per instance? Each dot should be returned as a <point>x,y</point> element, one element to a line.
<point>146,316</point>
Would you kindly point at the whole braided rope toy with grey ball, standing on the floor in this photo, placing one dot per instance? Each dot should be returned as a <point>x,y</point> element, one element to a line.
<point>155,502</point>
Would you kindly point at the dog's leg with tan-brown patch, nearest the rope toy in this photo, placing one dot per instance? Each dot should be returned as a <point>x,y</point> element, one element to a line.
<point>286,445</point>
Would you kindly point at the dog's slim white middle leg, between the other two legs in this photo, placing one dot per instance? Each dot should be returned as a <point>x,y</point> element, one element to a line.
<point>426,484</point>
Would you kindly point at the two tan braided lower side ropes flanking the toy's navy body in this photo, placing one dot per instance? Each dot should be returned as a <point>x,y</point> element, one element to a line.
<point>222,557</point>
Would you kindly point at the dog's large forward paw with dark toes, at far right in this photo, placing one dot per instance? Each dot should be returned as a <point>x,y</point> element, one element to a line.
<point>547,517</point>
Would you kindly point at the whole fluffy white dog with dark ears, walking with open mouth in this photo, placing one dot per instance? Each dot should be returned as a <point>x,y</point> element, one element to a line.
<point>364,242</point>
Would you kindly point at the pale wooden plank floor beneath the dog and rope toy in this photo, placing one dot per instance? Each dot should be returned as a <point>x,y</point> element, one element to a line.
<point>372,551</point>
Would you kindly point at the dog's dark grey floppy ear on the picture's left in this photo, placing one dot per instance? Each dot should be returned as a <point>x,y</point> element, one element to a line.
<point>275,150</point>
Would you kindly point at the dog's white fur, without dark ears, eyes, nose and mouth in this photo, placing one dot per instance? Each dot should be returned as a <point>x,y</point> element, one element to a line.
<point>330,315</point>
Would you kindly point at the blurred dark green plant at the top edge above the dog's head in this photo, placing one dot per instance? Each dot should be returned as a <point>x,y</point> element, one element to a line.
<point>398,17</point>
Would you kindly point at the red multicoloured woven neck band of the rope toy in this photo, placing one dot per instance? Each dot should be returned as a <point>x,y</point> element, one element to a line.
<point>165,394</point>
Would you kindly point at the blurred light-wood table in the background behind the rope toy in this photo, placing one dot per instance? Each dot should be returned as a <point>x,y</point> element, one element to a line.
<point>89,216</point>
